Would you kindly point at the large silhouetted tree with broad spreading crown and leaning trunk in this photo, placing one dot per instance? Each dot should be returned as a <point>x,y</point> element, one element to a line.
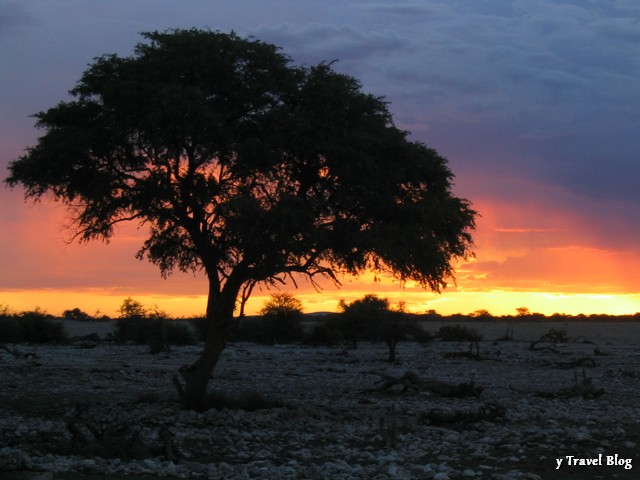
<point>248,167</point>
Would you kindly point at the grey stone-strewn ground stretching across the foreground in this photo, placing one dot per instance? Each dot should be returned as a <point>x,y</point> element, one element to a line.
<point>111,410</point>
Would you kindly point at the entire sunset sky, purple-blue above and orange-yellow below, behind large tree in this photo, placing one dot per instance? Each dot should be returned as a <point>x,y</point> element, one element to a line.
<point>535,103</point>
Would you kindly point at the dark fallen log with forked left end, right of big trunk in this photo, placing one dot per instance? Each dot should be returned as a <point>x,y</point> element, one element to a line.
<point>411,381</point>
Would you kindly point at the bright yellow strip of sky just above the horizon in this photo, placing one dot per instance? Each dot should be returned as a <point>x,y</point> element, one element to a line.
<point>496,302</point>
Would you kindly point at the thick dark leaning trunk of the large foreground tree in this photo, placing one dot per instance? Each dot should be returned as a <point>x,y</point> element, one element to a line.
<point>220,308</point>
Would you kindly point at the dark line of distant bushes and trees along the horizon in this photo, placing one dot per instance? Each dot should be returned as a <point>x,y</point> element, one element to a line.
<point>281,320</point>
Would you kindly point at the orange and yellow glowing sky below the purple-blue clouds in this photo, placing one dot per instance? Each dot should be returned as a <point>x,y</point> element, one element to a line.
<point>528,254</point>
